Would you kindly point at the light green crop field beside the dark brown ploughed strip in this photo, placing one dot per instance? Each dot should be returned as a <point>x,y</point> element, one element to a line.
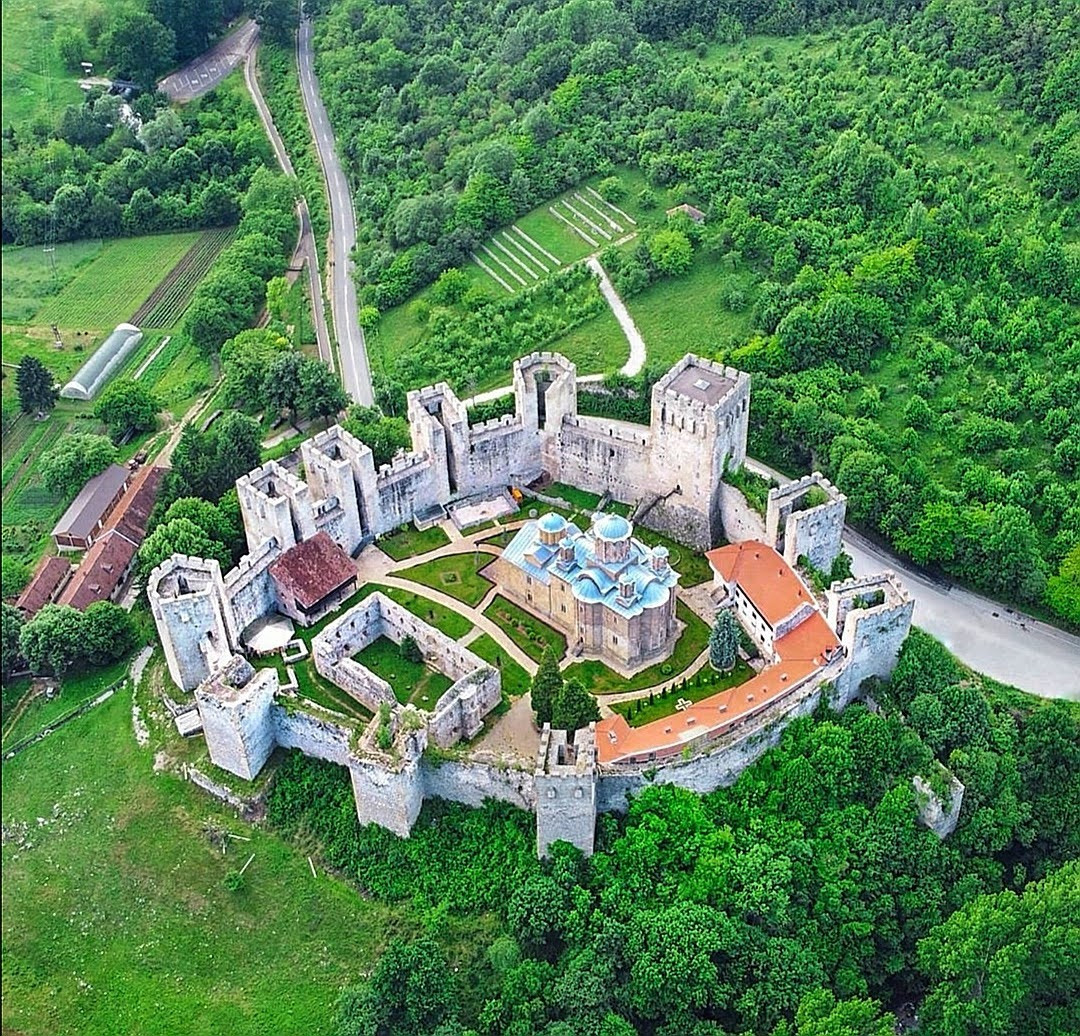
<point>120,278</point>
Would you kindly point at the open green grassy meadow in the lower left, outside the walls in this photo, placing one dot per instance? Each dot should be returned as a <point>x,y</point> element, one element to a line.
<point>116,918</point>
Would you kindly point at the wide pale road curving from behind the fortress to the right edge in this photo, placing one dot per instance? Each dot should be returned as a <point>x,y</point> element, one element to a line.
<point>992,639</point>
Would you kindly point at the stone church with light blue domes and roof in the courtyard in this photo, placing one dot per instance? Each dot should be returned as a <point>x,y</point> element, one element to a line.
<point>613,597</point>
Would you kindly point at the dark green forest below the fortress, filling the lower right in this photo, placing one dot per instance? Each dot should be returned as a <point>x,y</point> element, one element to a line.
<point>804,899</point>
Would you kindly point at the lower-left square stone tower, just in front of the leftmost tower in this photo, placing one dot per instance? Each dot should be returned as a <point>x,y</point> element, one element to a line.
<point>236,706</point>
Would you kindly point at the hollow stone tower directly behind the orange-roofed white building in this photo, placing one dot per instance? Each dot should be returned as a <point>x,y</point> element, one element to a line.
<point>806,519</point>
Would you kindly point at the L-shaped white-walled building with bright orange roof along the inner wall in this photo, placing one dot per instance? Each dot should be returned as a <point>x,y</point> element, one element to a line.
<point>781,614</point>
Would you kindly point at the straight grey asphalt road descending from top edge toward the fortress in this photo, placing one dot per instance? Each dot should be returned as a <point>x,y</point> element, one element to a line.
<point>356,373</point>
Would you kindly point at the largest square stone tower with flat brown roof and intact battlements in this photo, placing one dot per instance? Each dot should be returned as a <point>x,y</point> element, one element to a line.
<point>699,421</point>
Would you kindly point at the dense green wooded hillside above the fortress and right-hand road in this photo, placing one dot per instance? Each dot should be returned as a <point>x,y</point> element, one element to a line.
<point>901,181</point>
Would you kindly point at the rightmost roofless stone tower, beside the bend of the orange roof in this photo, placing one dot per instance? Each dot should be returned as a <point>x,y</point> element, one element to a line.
<point>872,617</point>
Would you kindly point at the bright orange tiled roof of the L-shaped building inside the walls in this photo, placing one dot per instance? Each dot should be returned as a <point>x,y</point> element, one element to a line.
<point>802,653</point>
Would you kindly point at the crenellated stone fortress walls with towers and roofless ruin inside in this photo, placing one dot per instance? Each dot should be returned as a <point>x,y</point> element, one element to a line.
<point>671,473</point>
